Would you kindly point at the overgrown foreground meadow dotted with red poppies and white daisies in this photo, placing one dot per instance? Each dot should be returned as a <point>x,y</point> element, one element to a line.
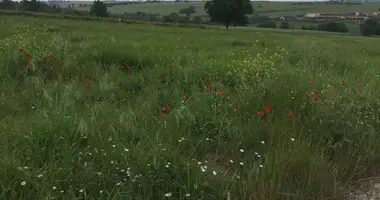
<point>112,111</point>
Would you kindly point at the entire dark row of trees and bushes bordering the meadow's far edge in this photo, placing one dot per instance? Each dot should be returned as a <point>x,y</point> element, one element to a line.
<point>226,12</point>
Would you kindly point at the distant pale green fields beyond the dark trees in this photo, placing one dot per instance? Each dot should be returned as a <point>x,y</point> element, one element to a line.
<point>262,8</point>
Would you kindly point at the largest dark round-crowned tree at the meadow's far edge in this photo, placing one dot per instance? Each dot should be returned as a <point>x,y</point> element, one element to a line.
<point>229,11</point>
